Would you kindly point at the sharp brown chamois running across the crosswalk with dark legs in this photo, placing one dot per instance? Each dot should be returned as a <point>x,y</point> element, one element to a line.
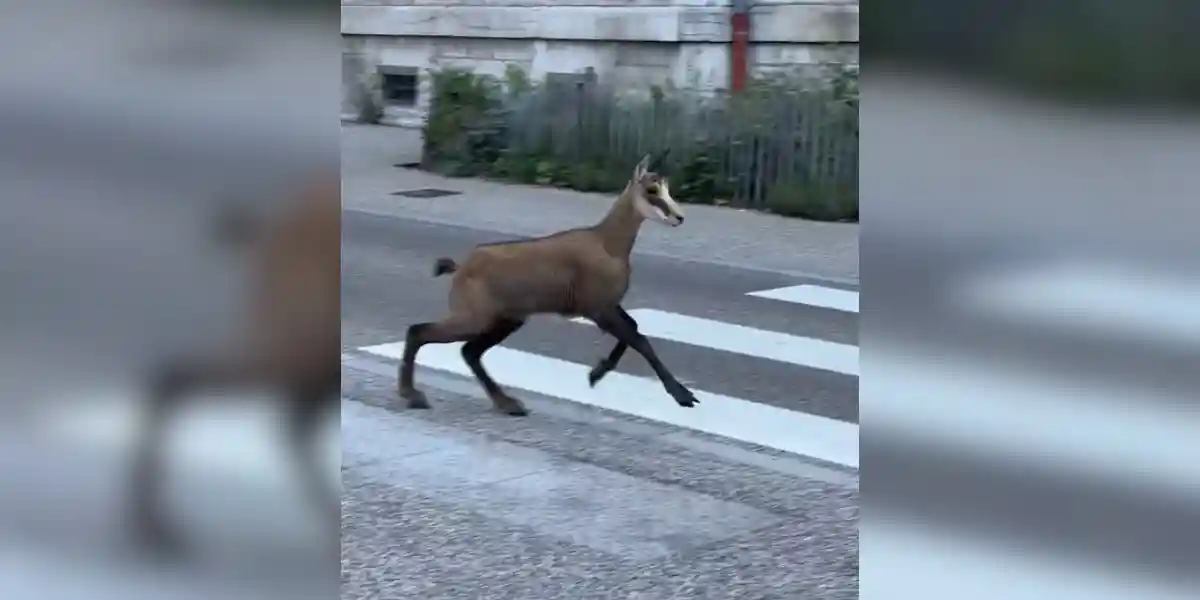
<point>578,273</point>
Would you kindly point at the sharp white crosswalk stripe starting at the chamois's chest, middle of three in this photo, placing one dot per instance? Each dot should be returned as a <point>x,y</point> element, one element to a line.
<point>724,337</point>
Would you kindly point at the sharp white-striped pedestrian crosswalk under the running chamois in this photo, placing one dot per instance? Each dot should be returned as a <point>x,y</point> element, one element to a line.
<point>740,419</point>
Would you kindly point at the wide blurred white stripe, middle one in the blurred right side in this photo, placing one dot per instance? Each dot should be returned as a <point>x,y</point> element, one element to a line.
<point>1132,435</point>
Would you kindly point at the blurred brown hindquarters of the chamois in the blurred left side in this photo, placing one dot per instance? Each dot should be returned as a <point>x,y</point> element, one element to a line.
<point>293,345</point>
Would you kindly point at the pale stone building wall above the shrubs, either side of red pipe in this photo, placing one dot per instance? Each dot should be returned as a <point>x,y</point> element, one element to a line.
<point>628,43</point>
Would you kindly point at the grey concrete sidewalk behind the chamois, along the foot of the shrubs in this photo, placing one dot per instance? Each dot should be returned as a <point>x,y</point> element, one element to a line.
<point>723,236</point>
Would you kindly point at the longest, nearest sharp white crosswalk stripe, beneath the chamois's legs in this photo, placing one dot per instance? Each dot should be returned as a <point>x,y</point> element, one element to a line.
<point>790,431</point>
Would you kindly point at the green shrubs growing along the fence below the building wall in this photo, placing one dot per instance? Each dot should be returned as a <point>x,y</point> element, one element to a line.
<point>788,145</point>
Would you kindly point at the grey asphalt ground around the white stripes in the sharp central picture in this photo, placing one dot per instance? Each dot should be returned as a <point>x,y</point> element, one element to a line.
<point>574,501</point>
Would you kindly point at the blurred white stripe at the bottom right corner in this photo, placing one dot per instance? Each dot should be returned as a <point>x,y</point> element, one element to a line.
<point>917,562</point>
